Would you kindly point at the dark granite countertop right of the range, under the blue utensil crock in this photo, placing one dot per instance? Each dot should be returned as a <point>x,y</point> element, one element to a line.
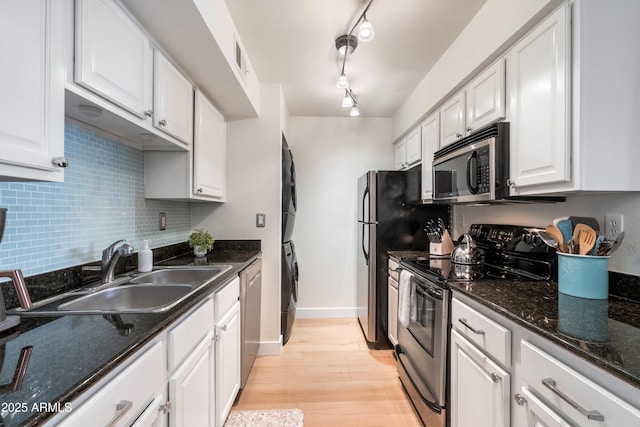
<point>604,332</point>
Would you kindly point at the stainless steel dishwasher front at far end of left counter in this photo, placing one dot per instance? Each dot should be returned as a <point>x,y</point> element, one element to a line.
<point>250,302</point>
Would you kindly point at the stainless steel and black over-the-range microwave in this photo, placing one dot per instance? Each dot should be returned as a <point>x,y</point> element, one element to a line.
<point>475,169</point>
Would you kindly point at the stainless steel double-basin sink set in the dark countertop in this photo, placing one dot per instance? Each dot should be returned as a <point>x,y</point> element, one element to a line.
<point>153,292</point>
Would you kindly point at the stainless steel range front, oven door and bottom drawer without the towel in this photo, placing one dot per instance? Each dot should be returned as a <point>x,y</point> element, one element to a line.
<point>422,351</point>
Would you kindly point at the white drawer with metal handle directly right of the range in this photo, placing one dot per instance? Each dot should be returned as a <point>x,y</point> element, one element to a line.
<point>488,335</point>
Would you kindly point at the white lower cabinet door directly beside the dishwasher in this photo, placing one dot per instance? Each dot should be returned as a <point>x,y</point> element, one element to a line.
<point>227,362</point>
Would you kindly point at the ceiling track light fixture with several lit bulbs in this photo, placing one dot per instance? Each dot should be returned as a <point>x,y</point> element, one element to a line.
<point>346,45</point>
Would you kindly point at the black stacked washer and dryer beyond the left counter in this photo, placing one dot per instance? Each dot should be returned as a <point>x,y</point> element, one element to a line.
<point>289,293</point>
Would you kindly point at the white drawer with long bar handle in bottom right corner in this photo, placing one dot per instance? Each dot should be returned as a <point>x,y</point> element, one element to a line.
<point>567,390</point>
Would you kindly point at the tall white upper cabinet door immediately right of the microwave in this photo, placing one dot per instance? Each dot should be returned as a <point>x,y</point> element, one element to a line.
<point>538,69</point>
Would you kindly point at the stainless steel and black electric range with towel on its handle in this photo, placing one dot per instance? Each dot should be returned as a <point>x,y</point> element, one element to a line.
<point>507,253</point>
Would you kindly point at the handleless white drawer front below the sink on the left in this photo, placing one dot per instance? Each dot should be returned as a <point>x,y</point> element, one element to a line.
<point>183,338</point>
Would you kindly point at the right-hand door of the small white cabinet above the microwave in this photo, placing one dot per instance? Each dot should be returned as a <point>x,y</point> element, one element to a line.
<point>486,97</point>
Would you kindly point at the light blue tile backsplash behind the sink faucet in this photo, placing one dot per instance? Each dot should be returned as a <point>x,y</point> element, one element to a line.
<point>51,226</point>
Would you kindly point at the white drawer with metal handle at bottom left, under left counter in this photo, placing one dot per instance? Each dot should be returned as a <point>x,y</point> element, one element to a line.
<point>127,395</point>
